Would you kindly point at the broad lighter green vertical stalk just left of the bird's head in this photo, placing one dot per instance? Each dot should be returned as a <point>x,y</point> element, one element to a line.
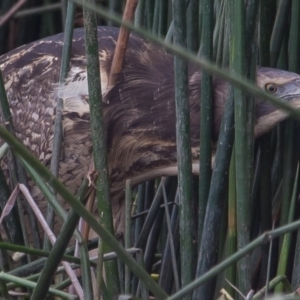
<point>242,160</point>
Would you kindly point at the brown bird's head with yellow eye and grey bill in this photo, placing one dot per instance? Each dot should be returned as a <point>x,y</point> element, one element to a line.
<point>282,84</point>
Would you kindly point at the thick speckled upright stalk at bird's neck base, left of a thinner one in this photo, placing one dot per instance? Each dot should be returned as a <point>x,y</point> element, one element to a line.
<point>187,250</point>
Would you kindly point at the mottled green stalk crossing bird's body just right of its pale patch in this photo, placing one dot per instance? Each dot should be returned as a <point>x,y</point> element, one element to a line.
<point>98,136</point>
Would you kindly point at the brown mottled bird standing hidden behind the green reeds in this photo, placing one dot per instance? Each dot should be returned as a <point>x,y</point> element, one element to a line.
<point>139,110</point>
